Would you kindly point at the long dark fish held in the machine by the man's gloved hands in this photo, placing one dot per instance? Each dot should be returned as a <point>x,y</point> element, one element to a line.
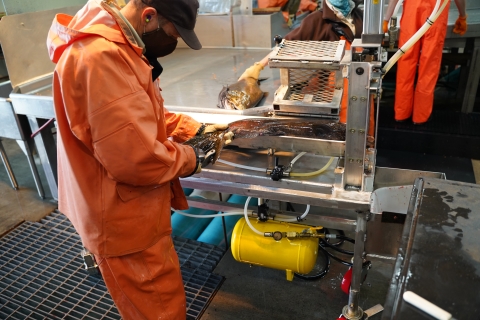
<point>210,145</point>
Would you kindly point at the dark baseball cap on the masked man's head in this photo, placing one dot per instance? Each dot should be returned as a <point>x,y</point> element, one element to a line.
<point>183,15</point>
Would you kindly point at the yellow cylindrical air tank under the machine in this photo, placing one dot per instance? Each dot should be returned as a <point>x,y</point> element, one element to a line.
<point>295,255</point>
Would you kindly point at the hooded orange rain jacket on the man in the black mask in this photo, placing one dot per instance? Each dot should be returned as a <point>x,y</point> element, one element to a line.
<point>117,170</point>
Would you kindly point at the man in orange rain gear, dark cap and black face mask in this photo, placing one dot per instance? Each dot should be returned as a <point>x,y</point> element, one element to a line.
<point>120,155</point>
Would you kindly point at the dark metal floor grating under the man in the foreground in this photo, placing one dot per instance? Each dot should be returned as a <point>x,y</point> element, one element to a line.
<point>42,276</point>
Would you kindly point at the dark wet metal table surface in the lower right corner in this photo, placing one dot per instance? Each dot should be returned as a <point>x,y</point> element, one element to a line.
<point>439,258</point>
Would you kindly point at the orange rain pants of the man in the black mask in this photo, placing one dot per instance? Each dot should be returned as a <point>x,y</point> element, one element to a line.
<point>146,284</point>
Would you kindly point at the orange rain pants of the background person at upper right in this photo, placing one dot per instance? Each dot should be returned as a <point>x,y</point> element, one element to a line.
<point>425,55</point>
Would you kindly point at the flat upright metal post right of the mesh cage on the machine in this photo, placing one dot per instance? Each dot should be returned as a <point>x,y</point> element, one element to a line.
<point>357,123</point>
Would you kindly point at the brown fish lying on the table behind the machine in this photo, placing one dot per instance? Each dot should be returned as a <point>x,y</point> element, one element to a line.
<point>241,95</point>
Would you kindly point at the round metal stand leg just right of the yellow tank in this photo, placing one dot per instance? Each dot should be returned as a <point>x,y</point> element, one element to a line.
<point>352,311</point>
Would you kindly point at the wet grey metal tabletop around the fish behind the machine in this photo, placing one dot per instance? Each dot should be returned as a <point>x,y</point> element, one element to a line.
<point>195,78</point>
